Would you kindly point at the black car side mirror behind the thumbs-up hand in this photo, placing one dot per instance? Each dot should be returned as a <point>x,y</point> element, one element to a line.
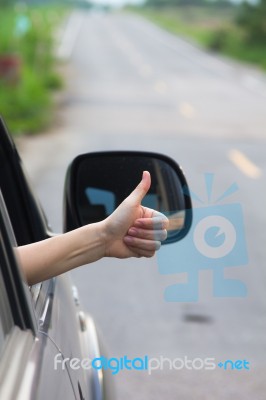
<point>97,183</point>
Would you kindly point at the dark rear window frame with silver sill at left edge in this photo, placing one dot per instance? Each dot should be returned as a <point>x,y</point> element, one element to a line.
<point>19,322</point>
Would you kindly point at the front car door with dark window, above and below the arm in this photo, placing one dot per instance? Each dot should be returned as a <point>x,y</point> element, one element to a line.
<point>56,330</point>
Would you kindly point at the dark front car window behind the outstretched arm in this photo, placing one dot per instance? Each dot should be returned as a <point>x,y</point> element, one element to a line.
<point>27,218</point>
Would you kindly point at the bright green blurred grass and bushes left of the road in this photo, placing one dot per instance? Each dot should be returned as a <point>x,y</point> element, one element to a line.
<point>26,94</point>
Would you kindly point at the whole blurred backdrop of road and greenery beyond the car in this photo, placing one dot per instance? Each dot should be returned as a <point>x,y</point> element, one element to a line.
<point>182,77</point>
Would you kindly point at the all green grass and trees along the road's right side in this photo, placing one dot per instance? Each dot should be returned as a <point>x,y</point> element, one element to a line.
<point>238,31</point>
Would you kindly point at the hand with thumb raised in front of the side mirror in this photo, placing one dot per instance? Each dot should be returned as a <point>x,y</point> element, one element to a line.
<point>133,230</point>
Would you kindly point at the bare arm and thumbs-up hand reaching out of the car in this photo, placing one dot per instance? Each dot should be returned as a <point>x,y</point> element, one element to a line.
<point>131,231</point>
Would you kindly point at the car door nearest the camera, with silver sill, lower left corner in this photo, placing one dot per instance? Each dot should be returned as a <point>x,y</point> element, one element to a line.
<point>26,363</point>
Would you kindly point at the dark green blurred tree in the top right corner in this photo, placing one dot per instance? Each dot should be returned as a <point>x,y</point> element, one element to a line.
<point>252,17</point>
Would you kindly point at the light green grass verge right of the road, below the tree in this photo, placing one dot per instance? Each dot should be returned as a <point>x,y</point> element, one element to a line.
<point>212,28</point>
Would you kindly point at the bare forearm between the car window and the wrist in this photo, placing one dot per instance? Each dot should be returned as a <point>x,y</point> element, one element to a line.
<point>59,254</point>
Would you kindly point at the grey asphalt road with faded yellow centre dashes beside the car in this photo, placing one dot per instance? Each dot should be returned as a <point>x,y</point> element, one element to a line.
<point>131,85</point>
